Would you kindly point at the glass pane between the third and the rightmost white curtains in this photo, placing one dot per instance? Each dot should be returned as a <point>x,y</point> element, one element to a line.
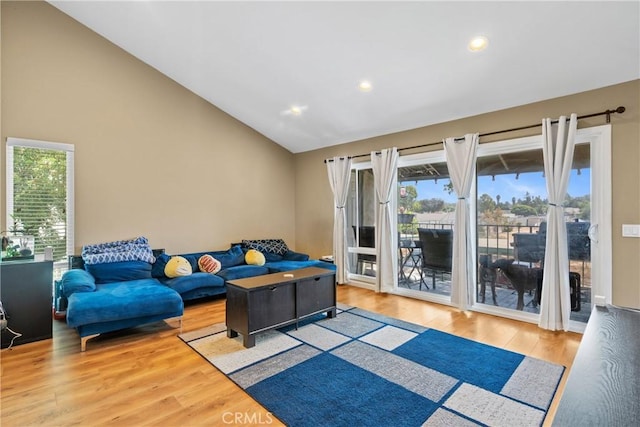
<point>511,206</point>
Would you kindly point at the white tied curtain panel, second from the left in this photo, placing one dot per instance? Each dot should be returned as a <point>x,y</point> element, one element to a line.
<point>385,169</point>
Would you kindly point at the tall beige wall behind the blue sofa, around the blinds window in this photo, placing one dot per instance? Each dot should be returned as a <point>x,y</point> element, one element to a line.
<point>151,158</point>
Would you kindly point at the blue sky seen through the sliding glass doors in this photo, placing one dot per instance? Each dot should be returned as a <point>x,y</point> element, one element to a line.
<point>507,186</point>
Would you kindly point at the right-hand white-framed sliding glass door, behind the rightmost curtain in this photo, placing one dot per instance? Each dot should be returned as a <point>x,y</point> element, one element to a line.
<point>511,206</point>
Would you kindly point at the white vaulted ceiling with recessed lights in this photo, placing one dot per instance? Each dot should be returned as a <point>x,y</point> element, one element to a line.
<point>291,70</point>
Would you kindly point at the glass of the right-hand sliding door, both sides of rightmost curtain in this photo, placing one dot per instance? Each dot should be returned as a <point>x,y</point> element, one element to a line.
<point>511,230</point>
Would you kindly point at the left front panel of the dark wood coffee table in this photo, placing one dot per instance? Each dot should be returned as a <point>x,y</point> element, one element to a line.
<point>271,306</point>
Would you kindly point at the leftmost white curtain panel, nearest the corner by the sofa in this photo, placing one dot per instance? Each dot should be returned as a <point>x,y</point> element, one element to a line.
<point>339,170</point>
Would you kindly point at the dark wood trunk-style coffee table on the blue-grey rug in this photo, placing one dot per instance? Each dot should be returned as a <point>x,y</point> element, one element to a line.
<point>260,303</point>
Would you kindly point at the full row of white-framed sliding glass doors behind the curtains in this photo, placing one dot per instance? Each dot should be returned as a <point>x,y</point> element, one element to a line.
<point>510,200</point>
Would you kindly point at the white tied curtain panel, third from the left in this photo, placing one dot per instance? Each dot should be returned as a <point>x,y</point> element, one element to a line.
<point>461,162</point>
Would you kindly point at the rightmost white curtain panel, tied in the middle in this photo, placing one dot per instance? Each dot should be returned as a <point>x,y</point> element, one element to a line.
<point>555,306</point>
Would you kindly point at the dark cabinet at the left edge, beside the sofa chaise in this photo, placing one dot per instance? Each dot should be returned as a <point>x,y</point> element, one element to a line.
<point>26,294</point>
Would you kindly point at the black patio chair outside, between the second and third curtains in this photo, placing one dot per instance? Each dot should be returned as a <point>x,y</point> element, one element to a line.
<point>437,251</point>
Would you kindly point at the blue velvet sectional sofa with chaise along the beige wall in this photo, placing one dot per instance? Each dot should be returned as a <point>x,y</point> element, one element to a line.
<point>105,297</point>
